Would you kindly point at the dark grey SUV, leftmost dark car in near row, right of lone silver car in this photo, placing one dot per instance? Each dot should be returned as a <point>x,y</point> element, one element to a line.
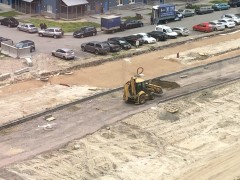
<point>95,47</point>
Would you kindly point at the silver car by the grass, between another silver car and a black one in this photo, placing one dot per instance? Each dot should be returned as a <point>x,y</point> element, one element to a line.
<point>54,32</point>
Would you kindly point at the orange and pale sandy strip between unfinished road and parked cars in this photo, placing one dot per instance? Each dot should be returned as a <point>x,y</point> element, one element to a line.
<point>27,97</point>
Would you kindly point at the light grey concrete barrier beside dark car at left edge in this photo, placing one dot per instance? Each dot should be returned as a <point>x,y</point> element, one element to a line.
<point>8,49</point>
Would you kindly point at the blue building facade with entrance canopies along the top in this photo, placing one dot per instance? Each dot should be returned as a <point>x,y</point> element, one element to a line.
<point>67,9</point>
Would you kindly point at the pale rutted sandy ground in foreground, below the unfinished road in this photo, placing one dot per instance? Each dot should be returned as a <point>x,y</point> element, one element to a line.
<point>200,141</point>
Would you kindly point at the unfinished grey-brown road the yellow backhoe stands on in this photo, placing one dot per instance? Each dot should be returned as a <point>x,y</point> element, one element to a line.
<point>76,121</point>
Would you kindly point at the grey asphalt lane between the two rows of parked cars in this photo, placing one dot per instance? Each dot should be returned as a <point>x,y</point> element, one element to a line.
<point>46,44</point>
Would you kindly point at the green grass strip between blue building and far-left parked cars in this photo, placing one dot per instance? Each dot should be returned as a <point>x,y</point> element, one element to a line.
<point>66,26</point>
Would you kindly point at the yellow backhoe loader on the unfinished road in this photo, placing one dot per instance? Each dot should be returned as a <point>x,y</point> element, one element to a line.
<point>138,90</point>
